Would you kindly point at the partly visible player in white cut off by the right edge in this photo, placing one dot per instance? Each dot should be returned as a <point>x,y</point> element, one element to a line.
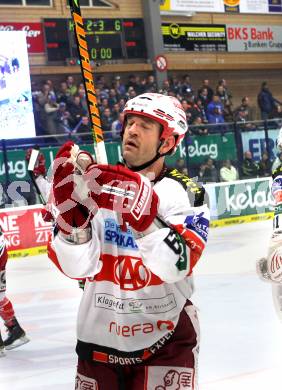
<point>270,268</point>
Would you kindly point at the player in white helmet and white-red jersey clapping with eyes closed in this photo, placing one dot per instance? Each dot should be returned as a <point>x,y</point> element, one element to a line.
<point>135,237</point>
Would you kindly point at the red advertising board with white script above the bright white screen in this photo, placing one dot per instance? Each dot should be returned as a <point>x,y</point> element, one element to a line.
<point>34,34</point>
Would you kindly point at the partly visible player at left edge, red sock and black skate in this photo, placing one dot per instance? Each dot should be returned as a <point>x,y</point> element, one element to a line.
<point>15,334</point>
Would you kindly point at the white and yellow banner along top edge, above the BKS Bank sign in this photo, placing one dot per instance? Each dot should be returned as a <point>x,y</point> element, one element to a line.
<point>230,6</point>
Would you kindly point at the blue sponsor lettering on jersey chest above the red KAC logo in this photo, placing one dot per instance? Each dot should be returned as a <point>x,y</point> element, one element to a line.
<point>115,236</point>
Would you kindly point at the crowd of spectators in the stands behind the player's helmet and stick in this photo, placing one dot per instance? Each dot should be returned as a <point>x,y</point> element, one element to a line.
<point>62,109</point>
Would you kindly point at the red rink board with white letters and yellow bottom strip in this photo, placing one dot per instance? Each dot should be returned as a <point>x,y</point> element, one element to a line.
<point>25,231</point>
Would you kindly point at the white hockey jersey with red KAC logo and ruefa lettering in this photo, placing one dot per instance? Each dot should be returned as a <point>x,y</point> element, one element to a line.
<point>136,289</point>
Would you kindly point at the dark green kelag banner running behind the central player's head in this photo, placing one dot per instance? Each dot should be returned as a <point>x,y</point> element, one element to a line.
<point>199,149</point>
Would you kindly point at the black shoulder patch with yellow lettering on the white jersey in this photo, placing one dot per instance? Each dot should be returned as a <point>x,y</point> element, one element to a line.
<point>195,191</point>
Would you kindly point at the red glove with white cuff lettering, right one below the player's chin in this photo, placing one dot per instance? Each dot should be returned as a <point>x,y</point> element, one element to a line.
<point>124,191</point>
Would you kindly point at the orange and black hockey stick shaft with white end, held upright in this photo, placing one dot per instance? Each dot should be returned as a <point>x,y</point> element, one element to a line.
<point>99,145</point>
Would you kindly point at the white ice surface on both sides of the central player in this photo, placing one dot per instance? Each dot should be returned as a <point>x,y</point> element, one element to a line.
<point>241,337</point>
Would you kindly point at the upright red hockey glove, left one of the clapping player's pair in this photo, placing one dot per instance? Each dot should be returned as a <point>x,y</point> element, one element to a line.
<point>70,213</point>
